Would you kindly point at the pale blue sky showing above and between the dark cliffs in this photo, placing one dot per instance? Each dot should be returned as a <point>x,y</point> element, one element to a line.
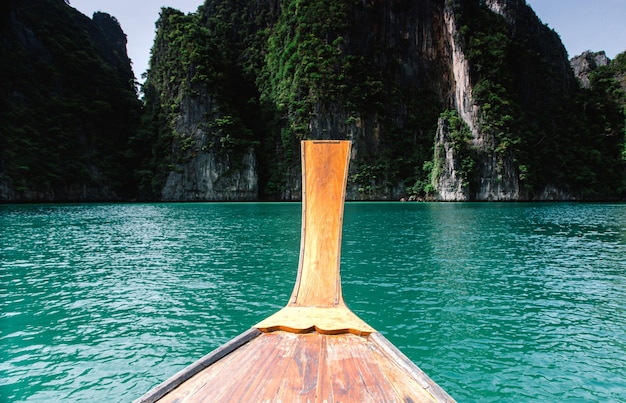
<point>582,24</point>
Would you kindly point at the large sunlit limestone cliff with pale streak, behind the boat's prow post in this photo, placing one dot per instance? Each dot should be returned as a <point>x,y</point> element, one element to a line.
<point>445,100</point>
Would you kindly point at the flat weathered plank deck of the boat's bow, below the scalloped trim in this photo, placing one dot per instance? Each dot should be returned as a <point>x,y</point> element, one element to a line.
<point>310,367</point>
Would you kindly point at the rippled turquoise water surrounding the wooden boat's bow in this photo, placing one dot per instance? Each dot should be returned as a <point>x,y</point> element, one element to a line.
<point>496,302</point>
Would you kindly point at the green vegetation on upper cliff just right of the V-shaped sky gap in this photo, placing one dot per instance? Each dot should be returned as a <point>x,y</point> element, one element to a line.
<point>196,59</point>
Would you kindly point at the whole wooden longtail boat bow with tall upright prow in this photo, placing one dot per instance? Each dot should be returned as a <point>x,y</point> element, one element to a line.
<point>315,349</point>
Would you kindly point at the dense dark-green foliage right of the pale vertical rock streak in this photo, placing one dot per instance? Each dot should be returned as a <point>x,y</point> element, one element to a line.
<point>558,133</point>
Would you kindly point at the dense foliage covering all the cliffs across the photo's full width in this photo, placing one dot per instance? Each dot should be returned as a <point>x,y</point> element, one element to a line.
<point>263,75</point>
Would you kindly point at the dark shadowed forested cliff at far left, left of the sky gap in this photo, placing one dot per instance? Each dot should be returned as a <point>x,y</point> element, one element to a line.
<point>68,104</point>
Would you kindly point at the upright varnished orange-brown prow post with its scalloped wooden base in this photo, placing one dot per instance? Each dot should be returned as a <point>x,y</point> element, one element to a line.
<point>316,302</point>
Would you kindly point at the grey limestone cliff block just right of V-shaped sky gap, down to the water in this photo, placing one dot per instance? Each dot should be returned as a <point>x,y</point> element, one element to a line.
<point>210,153</point>
